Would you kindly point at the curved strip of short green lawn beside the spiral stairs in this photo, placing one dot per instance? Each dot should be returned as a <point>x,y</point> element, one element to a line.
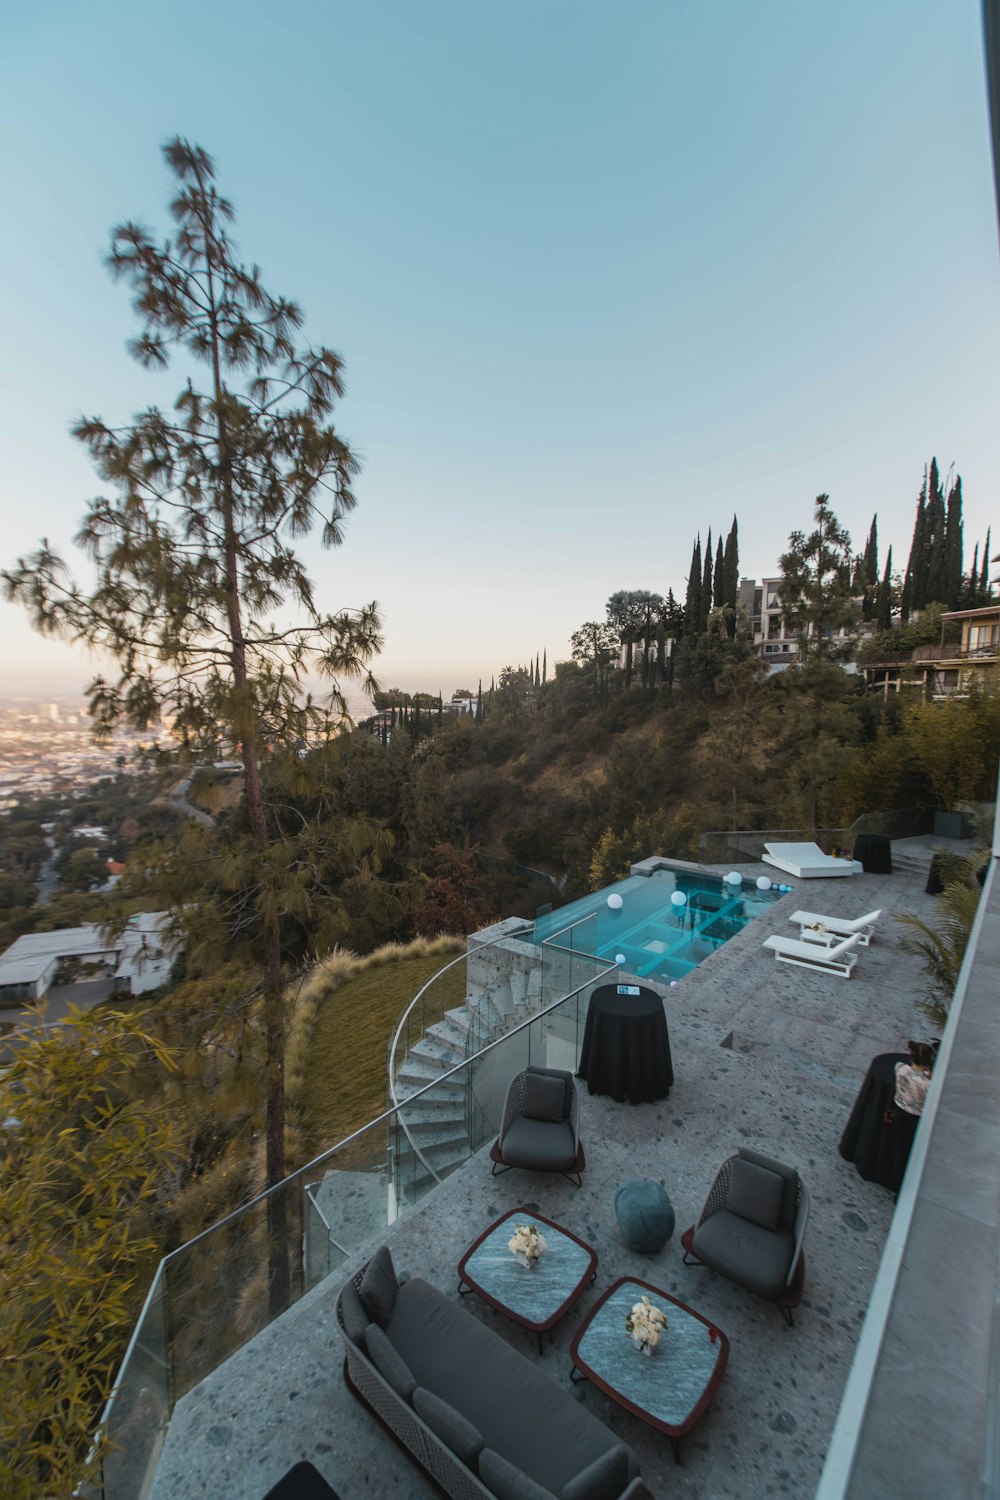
<point>344,1076</point>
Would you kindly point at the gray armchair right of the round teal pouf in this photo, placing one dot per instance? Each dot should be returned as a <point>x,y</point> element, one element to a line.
<point>752,1229</point>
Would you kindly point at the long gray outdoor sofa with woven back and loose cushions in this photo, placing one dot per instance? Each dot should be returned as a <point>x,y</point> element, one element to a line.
<point>478,1417</point>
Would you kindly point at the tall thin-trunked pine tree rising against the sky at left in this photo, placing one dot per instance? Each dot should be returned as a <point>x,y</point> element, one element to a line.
<point>193,563</point>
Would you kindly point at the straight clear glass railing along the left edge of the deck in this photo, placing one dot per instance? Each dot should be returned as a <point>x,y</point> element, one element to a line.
<point>218,1292</point>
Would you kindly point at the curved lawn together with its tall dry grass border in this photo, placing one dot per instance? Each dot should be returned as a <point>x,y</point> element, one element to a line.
<point>344,1018</point>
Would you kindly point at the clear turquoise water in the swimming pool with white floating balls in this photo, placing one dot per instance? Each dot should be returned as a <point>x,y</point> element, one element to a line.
<point>656,937</point>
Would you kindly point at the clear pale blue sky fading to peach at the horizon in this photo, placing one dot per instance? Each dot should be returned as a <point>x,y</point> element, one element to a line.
<point>602,277</point>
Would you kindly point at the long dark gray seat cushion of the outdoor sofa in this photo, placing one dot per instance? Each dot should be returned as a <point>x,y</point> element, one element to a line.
<point>521,1411</point>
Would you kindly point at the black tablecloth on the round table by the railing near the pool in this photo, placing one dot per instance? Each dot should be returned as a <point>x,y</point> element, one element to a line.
<point>626,1046</point>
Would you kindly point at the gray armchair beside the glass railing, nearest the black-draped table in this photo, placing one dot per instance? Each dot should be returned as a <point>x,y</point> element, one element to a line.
<point>540,1129</point>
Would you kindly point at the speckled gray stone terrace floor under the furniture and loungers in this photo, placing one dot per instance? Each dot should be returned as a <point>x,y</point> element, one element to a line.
<point>765,1055</point>
